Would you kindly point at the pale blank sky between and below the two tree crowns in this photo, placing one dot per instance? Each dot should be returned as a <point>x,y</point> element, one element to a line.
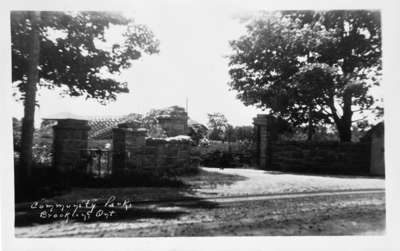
<point>192,64</point>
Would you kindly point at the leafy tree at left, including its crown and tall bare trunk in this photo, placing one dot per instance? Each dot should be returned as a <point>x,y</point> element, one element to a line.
<point>69,50</point>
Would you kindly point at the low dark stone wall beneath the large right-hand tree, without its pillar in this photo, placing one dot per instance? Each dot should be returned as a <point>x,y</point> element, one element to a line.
<point>321,157</point>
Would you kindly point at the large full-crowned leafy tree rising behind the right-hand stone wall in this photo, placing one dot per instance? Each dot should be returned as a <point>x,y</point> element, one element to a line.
<point>288,53</point>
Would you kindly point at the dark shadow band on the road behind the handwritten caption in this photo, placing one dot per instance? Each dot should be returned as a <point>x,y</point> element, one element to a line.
<point>152,209</point>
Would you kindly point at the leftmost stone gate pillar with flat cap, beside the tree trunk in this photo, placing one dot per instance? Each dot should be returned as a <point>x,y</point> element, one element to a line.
<point>70,137</point>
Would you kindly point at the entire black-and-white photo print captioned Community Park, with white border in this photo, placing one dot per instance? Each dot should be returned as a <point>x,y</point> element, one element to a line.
<point>191,119</point>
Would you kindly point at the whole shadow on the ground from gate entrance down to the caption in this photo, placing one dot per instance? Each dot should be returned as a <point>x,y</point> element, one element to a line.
<point>147,202</point>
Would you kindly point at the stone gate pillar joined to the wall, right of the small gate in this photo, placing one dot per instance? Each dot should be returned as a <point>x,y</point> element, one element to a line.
<point>125,141</point>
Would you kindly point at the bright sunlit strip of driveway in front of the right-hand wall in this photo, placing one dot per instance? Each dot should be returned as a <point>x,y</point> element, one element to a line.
<point>272,182</point>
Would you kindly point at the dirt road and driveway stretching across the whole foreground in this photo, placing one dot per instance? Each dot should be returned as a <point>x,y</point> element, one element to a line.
<point>276,204</point>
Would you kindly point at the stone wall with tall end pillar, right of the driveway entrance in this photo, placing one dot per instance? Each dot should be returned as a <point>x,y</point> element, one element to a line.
<point>321,157</point>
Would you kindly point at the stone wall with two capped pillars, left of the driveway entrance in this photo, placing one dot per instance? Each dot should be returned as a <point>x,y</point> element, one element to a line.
<point>130,149</point>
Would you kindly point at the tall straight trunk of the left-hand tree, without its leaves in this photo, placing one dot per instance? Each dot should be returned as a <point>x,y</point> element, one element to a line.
<point>30,97</point>
